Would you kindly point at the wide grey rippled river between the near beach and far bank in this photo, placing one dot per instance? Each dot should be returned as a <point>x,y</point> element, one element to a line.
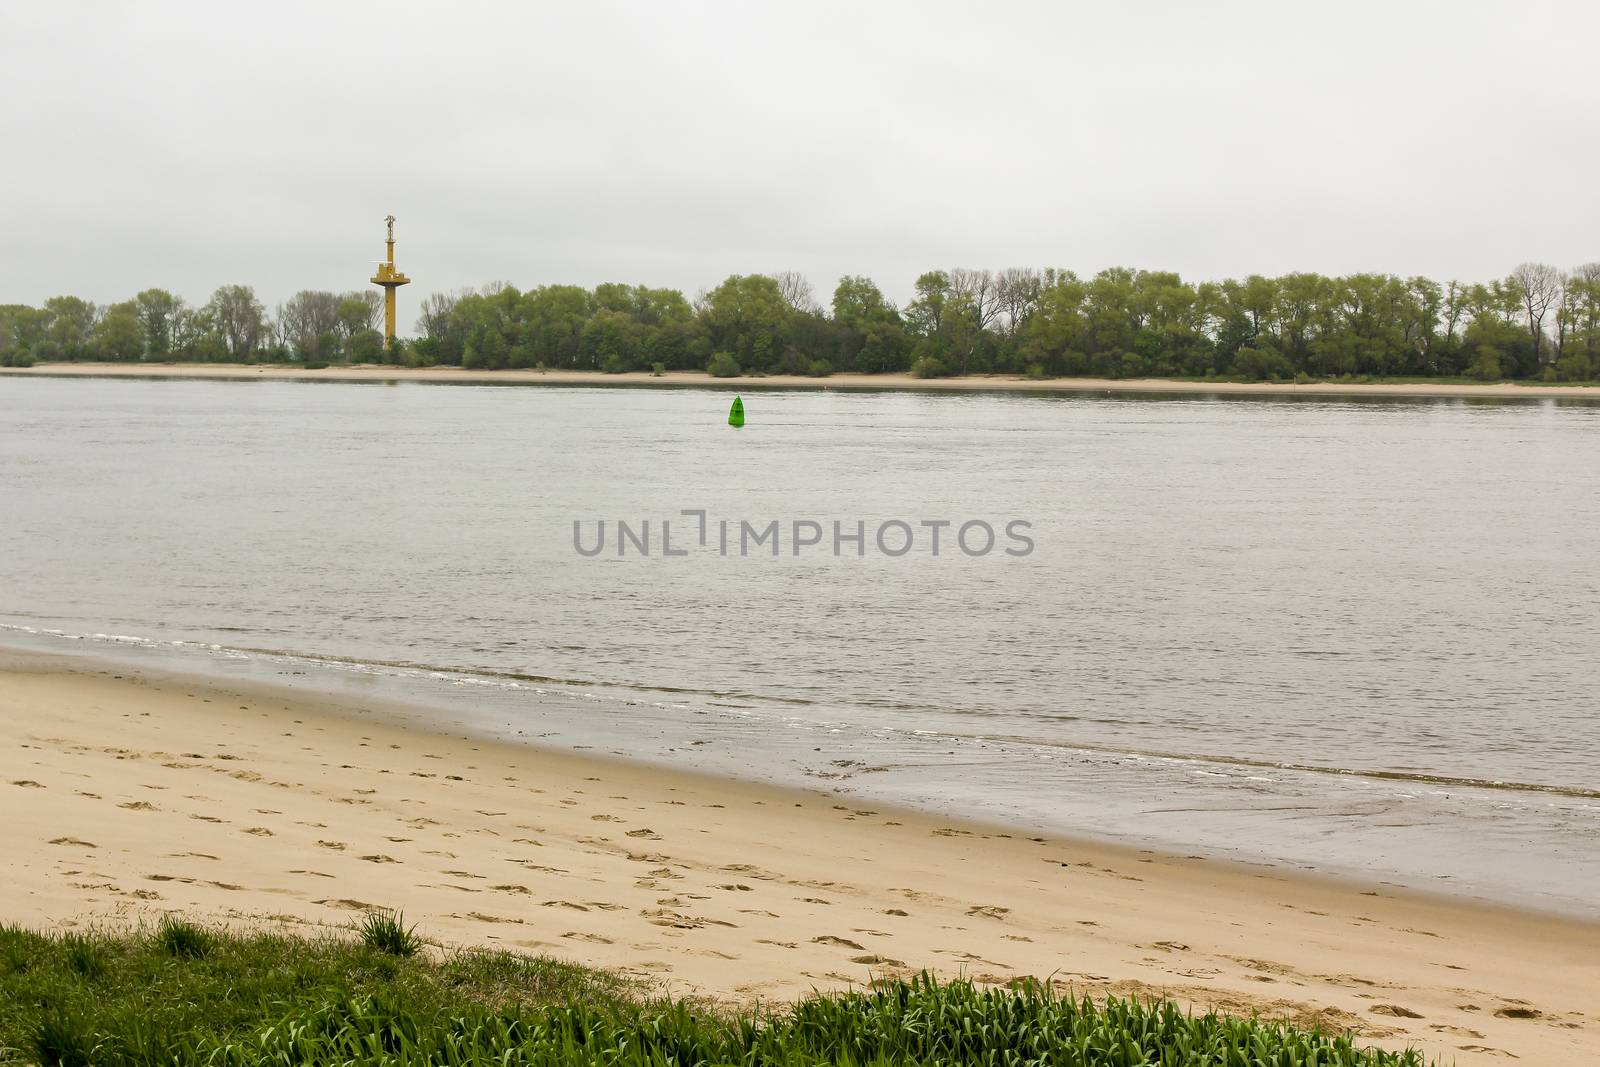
<point>1346,636</point>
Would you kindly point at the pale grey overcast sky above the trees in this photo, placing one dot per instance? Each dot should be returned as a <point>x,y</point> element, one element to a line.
<point>190,146</point>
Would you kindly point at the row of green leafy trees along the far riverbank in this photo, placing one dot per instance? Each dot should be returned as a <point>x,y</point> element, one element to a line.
<point>1535,324</point>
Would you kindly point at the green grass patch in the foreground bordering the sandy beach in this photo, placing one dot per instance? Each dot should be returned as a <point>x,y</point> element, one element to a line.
<point>250,1001</point>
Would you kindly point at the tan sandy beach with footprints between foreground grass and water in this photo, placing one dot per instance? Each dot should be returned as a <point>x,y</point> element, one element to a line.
<point>130,794</point>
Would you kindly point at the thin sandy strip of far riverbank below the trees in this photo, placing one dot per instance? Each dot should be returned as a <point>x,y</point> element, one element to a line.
<point>865,383</point>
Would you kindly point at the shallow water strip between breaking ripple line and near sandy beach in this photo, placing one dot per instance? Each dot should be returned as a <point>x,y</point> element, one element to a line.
<point>1082,797</point>
